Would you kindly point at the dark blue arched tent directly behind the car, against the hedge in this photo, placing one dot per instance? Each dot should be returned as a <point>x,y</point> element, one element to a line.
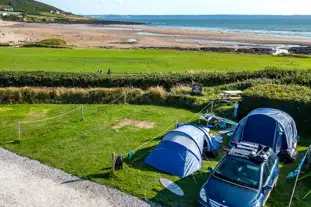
<point>270,127</point>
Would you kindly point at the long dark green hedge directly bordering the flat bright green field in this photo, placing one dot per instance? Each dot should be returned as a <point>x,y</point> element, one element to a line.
<point>143,80</point>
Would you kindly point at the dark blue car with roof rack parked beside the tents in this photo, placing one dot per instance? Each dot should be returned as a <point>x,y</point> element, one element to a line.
<point>244,177</point>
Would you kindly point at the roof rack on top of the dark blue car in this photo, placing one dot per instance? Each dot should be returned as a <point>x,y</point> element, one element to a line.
<point>252,151</point>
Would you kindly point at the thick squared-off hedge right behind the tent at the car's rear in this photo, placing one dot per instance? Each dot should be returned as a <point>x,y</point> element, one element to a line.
<point>293,99</point>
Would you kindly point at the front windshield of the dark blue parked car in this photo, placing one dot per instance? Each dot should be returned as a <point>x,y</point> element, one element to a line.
<point>239,171</point>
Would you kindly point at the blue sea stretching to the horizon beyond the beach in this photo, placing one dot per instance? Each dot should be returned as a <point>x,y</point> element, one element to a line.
<point>293,26</point>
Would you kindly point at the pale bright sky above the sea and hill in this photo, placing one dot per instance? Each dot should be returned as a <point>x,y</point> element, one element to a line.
<point>163,7</point>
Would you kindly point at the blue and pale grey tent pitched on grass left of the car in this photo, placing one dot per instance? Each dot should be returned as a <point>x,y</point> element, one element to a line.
<point>180,151</point>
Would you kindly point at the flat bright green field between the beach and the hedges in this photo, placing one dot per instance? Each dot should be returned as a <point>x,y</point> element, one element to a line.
<point>91,60</point>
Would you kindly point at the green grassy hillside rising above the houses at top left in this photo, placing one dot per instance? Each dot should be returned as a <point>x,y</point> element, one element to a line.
<point>29,6</point>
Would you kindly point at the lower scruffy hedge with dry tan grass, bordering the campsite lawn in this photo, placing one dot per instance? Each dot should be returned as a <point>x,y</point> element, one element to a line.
<point>153,96</point>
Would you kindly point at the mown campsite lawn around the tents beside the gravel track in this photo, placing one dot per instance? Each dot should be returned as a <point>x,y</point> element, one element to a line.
<point>84,148</point>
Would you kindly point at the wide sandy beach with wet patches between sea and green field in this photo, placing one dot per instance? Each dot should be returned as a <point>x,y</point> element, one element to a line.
<point>117,36</point>
